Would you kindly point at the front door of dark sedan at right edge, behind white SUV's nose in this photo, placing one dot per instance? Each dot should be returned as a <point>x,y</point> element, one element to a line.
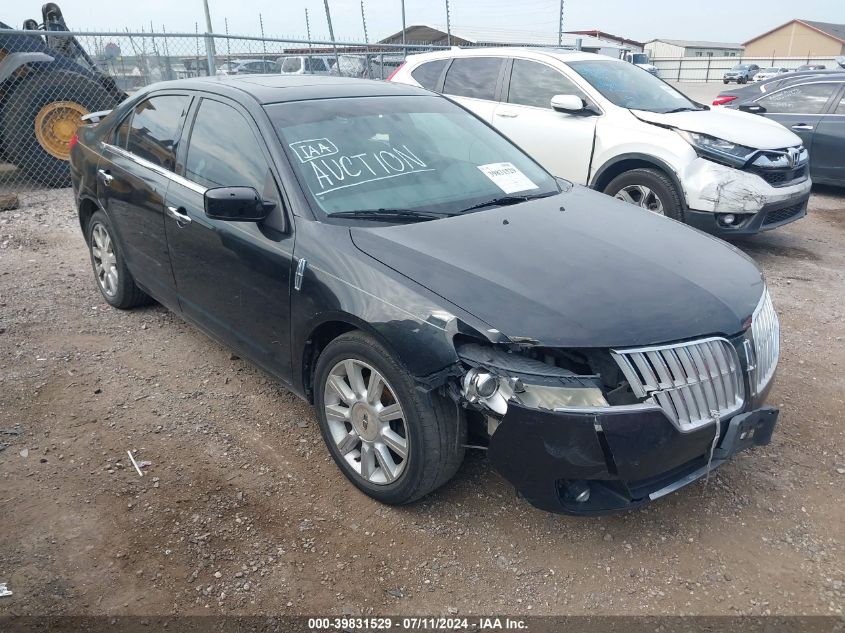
<point>800,108</point>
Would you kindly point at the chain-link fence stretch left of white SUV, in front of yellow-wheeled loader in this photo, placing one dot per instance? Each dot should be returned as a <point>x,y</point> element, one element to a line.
<point>50,80</point>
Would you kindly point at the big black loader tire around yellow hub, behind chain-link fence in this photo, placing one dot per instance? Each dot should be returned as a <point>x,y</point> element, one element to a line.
<point>18,121</point>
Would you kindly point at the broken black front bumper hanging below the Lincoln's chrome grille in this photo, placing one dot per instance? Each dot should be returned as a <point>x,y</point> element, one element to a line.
<point>623,456</point>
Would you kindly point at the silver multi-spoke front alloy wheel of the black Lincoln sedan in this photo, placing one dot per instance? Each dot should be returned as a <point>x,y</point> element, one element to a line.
<point>366,422</point>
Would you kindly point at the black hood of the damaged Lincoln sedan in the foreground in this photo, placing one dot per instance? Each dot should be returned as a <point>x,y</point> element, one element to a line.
<point>575,270</point>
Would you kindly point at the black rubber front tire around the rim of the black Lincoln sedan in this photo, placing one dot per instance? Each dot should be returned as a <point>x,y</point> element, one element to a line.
<point>434,424</point>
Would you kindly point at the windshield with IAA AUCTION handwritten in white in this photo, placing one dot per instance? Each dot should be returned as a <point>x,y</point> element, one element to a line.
<point>411,153</point>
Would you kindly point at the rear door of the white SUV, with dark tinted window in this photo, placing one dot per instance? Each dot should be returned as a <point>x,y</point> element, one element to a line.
<point>474,82</point>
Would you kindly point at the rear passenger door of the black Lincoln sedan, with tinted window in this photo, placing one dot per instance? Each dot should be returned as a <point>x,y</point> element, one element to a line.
<point>132,181</point>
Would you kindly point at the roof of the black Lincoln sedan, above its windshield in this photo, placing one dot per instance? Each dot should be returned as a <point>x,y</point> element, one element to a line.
<point>283,88</point>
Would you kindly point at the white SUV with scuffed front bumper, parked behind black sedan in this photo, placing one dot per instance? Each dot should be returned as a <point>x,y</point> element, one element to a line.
<point>605,123</point>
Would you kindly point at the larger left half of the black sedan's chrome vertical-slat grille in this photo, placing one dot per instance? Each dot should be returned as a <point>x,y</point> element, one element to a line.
<point>690,381</point>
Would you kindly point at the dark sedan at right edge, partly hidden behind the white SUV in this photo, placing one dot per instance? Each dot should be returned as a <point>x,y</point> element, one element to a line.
<point>813,106</point>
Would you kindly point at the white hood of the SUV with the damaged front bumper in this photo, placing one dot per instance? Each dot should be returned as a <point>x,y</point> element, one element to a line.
<point>743,128</point>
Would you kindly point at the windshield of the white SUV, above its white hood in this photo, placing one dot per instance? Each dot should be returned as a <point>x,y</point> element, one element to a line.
<point>630,87</point>
